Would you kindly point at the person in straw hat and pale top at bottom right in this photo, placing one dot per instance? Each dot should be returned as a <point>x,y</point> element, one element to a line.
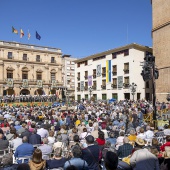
<point>142,158</point>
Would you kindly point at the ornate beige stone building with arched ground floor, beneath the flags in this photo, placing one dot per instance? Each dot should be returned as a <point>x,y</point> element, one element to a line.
<point>30,69</point>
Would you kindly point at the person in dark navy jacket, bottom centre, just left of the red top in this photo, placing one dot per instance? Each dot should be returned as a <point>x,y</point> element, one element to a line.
<point>91,154</point>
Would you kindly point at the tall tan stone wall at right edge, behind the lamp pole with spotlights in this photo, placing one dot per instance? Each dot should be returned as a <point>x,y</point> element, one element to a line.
<point>161,46</point>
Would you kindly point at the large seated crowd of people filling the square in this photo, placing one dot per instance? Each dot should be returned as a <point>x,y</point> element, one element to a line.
<point>94,136</point>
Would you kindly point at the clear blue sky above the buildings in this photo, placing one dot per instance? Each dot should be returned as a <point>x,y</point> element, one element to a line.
<point>78,27</point>
